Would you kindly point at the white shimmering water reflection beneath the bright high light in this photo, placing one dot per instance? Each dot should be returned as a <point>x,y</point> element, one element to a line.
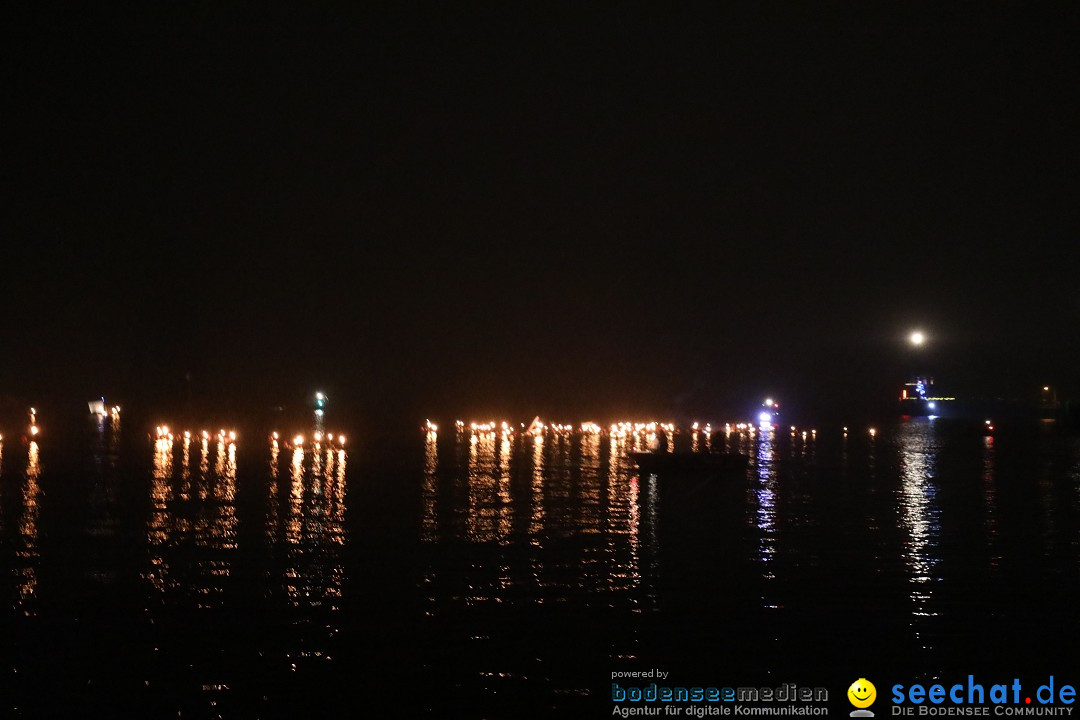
<point>920,517</point>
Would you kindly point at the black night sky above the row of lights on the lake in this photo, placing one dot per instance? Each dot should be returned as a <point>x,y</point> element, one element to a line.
<point>575,211</point>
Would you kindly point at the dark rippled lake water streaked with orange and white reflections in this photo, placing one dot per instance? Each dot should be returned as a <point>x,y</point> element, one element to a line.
<point>487,577</point>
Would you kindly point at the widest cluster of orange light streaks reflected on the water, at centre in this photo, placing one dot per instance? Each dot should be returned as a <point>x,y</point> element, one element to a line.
<point>545,494</point>
